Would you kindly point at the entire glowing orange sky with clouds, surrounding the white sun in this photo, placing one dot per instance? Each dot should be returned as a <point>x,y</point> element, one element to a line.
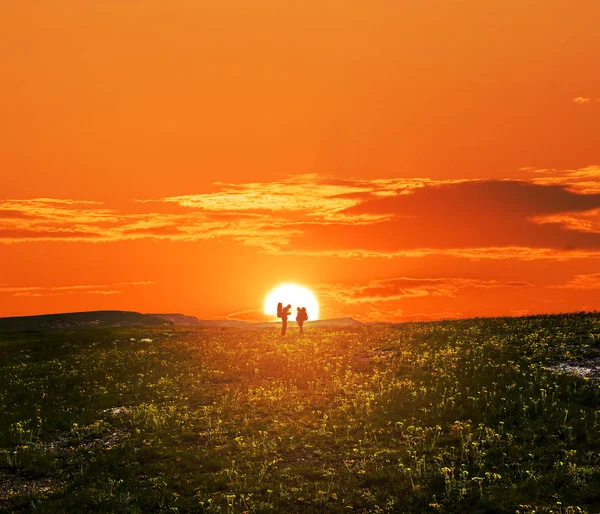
<point>404,160</point>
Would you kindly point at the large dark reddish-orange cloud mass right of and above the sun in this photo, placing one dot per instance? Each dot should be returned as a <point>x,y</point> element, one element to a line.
<point>492,214</point>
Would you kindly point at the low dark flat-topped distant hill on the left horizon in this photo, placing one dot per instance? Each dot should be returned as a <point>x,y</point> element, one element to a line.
<point>82,320</point>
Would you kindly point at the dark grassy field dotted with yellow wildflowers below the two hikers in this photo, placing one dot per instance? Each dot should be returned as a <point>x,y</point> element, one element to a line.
<point>454,416</point>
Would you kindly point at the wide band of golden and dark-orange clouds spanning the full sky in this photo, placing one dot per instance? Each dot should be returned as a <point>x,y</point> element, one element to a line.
<point>547,215</point>
